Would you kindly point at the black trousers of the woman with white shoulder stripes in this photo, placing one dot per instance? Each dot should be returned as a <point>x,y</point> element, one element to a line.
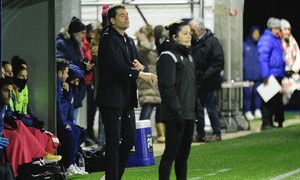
<point>179,136</point>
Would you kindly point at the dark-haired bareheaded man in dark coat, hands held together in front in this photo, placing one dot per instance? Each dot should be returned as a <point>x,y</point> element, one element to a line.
<point>118,71</point>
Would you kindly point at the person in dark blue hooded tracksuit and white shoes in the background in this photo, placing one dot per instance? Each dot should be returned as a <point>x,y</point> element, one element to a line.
<point>251,72</point>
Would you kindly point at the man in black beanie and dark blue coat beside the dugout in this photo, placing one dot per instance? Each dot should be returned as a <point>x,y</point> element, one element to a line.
<point>69,46</point>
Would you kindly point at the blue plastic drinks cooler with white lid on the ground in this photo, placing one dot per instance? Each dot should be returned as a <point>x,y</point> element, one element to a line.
<point>142,152</point>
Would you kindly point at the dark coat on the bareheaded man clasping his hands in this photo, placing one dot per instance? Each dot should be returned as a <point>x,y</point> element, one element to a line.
<point>117,79</point>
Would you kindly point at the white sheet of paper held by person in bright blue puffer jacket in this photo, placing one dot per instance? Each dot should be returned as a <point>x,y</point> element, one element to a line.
<point>269,90</point>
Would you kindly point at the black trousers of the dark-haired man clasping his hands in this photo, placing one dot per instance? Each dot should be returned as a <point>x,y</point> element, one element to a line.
<point>119,125</point>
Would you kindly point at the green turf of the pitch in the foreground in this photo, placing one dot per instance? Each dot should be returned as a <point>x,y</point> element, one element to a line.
<point>263,155</point>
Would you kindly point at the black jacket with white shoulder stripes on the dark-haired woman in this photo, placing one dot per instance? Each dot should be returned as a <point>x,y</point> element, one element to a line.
<point>176,82</point>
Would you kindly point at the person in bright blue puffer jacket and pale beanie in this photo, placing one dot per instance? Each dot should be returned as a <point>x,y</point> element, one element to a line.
<point>270,54</point>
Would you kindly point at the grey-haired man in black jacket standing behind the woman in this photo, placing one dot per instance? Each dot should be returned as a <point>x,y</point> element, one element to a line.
<point>209,60</point>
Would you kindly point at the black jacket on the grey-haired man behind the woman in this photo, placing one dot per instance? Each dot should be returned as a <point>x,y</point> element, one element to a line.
<point>208,55</point>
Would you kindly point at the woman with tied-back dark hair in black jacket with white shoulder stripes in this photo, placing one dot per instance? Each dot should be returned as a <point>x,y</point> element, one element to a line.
<point>176,81</point>
